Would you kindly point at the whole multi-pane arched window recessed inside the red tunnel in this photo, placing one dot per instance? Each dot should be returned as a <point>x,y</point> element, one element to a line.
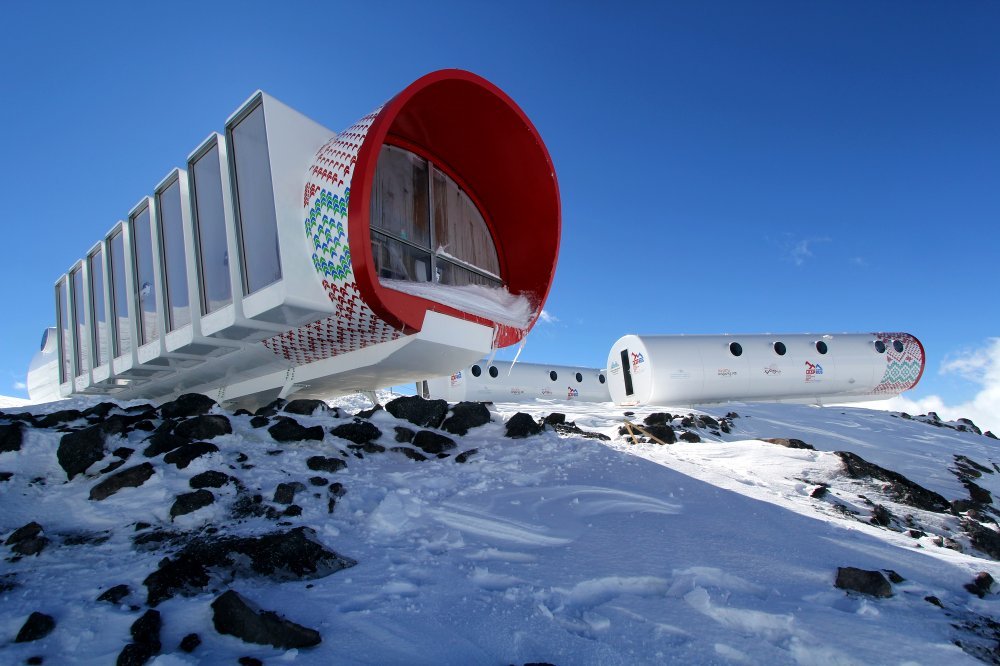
<point>425,228</point>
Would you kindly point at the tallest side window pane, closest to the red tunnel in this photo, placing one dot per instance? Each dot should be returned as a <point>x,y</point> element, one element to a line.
<point>255,198</point>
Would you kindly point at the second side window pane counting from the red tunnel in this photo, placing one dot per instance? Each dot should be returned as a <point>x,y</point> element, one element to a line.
<point>210,223</point>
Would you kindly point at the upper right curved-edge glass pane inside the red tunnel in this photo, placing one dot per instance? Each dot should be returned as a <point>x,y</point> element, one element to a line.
<point>459,228</point>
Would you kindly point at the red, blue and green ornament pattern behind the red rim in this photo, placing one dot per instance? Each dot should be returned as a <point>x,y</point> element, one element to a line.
<point>325,199</point>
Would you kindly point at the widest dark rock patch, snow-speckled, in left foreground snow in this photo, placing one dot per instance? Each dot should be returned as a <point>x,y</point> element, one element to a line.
<point>280,556</point>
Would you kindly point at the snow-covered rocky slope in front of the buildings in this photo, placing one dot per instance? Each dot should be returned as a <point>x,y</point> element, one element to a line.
<point>553,548</point>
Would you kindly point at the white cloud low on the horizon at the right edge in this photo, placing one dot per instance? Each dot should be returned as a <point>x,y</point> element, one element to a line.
<point>980,366</point>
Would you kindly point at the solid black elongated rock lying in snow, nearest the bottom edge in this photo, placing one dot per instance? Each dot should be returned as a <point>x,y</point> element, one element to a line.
<point>232,615</point>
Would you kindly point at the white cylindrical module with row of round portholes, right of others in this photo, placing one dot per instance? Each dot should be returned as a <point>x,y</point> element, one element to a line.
<point>825,368</point>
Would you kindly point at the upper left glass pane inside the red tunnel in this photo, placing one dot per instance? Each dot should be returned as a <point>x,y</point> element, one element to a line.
<point>399,196</point>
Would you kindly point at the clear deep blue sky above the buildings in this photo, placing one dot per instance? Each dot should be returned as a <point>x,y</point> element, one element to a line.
<point>724,166</point>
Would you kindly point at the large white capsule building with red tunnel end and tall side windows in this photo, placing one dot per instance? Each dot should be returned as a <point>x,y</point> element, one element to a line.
<point>286,258</point>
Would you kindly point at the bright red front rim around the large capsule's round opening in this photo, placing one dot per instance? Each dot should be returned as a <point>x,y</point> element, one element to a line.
<point>371,290</point>
